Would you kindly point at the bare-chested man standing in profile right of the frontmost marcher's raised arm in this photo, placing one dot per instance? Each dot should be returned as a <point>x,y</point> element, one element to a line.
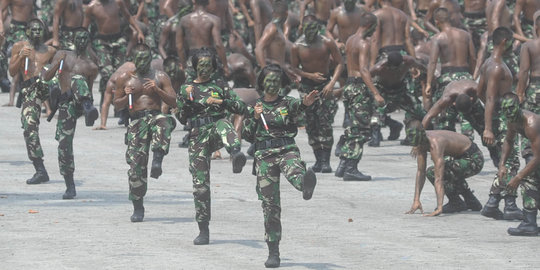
<point>361,94</point>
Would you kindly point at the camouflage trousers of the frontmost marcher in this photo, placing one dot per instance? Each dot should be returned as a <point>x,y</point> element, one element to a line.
<point>269,163</point>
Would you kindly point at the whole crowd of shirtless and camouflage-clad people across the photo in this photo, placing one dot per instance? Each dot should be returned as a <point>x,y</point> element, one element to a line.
<point>475,63</point>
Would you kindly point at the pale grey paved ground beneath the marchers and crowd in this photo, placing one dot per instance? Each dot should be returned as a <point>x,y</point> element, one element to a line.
<point>346,225</point>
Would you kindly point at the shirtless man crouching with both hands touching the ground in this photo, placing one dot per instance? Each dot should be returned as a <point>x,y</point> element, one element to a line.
<point>447,175</point>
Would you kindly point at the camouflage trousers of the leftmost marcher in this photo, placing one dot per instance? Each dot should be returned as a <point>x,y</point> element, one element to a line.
<point>33,96</point>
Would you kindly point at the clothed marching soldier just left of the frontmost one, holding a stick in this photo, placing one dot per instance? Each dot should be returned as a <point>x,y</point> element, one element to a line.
<point>203,103</point>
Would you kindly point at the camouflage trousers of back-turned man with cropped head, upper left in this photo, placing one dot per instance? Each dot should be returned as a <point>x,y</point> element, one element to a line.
<point>111,51</point>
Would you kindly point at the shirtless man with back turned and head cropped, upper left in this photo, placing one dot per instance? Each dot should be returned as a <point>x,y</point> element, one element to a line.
<point>109,43</point>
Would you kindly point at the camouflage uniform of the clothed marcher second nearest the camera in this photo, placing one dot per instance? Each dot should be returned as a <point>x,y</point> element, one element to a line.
<point>210,131</point>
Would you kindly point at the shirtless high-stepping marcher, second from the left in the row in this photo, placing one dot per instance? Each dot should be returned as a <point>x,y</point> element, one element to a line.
<point>76,78</point>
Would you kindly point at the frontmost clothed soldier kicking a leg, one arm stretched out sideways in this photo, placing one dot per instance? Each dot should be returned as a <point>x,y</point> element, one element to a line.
<point>271,126</point>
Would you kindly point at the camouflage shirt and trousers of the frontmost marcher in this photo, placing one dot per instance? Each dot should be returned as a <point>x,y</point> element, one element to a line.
<point>276,152</point>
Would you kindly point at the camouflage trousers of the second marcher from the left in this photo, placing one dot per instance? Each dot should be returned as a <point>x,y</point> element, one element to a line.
<point>69,109</point>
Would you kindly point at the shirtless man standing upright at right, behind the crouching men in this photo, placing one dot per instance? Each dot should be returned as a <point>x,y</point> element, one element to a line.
<point>495,81</point>
